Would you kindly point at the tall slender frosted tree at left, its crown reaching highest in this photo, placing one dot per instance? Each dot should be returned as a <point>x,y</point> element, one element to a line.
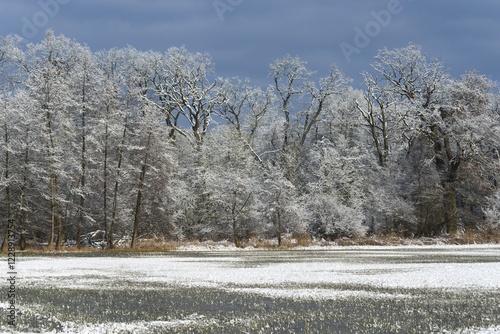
<point>50,65</point>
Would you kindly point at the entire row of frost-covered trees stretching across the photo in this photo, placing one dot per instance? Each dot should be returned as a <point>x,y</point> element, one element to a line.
<point>141,144</point>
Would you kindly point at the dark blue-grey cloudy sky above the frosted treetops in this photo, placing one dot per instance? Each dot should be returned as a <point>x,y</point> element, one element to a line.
<point>245,36</point>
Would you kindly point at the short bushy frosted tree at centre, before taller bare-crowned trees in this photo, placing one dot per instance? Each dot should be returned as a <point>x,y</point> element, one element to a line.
<point>234,184</point>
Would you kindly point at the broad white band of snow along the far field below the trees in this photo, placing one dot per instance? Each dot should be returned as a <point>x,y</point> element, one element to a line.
<point>263,268</point>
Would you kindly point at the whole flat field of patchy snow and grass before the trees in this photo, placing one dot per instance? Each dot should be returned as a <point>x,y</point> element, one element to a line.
<point>405,289</point>
